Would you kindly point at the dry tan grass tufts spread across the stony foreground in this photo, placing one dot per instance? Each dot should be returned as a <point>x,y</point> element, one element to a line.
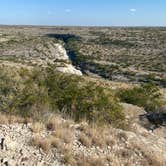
<point>61,136</point>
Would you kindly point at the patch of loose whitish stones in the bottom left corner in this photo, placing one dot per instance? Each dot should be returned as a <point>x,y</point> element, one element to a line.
<point>17,149</point>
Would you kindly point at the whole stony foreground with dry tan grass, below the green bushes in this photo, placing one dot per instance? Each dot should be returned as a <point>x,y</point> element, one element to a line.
<point>138,146</point>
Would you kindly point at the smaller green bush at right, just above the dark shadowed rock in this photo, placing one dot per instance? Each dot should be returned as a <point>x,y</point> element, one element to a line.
<point>146,95</point>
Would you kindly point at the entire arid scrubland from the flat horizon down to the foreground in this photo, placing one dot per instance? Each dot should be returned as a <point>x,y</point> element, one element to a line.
<point>74,95</point>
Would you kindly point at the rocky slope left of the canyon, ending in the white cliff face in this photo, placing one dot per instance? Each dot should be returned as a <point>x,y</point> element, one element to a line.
<point>33,51</point>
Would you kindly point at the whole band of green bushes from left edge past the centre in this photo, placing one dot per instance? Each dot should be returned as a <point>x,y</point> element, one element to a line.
<point>43,90</point>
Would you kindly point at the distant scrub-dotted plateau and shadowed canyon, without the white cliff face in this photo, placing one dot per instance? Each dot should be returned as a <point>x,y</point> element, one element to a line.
<point>118,54</point>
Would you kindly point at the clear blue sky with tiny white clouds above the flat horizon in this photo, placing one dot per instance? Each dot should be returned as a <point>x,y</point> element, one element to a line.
<point>83,12</point>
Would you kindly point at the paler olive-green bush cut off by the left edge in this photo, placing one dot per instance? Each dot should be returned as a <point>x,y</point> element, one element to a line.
<point>20,95</point>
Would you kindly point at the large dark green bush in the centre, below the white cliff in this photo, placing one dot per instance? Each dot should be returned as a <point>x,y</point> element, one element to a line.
<point>82,100</point>
